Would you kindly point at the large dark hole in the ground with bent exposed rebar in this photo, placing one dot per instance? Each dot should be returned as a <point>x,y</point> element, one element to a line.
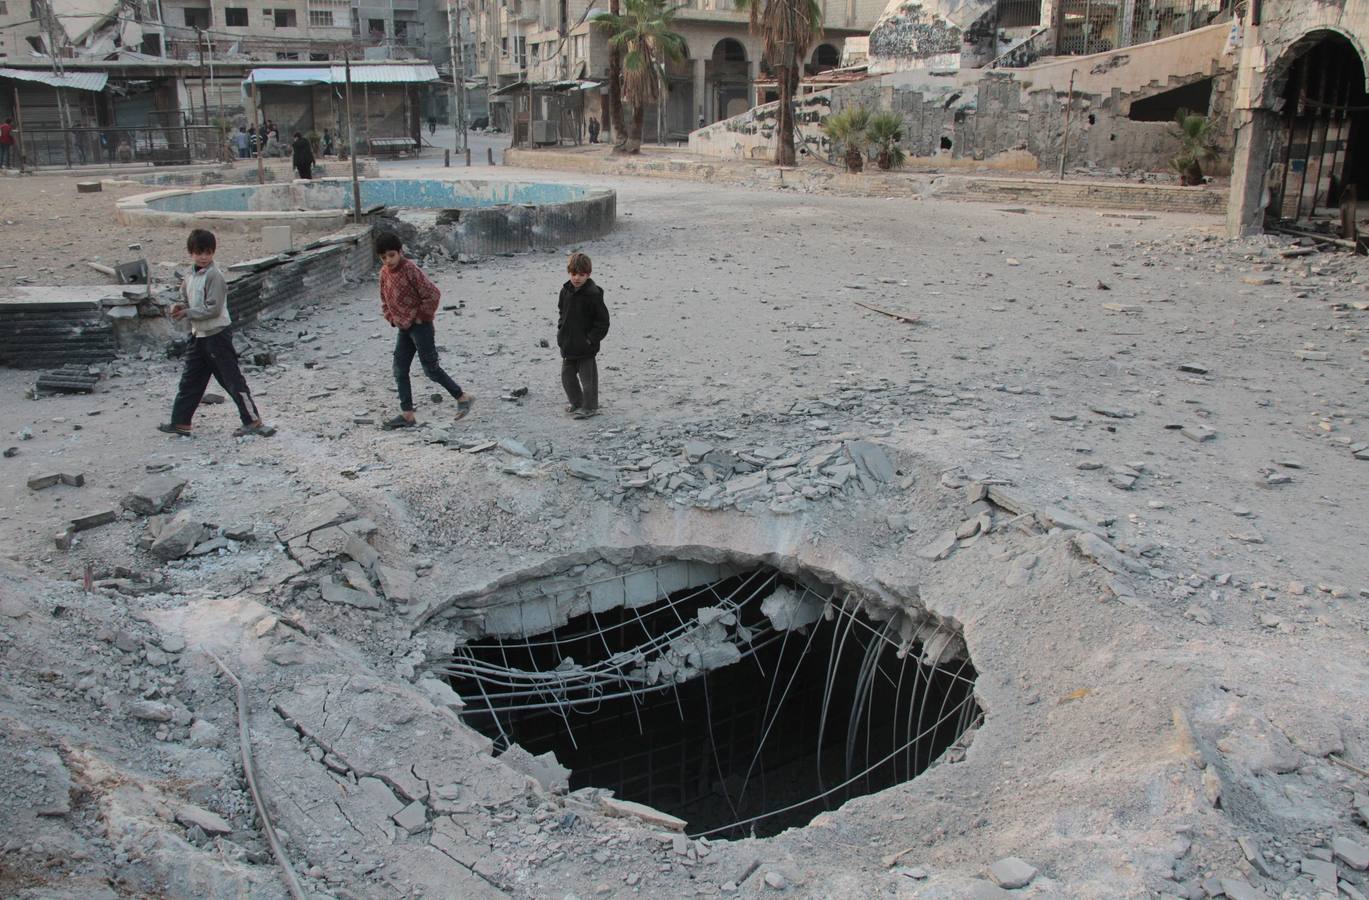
<point>744,703</point>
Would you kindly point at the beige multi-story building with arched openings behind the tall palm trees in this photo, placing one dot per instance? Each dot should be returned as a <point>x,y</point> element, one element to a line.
<point>551,40</point>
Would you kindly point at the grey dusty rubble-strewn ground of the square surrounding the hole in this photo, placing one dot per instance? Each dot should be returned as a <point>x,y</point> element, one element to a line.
<point>1171,651</point>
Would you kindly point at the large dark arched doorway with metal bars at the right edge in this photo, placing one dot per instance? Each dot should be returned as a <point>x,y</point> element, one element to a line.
<point>1320,147</point>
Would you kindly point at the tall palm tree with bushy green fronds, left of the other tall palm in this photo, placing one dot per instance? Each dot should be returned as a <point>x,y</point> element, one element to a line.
<point>644,38</point>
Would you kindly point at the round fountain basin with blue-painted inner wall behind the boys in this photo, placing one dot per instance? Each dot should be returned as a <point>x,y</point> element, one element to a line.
<point>485,217</point>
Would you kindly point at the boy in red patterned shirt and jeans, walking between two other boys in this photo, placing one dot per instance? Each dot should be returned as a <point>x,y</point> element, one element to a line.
<point>409,302</point>
